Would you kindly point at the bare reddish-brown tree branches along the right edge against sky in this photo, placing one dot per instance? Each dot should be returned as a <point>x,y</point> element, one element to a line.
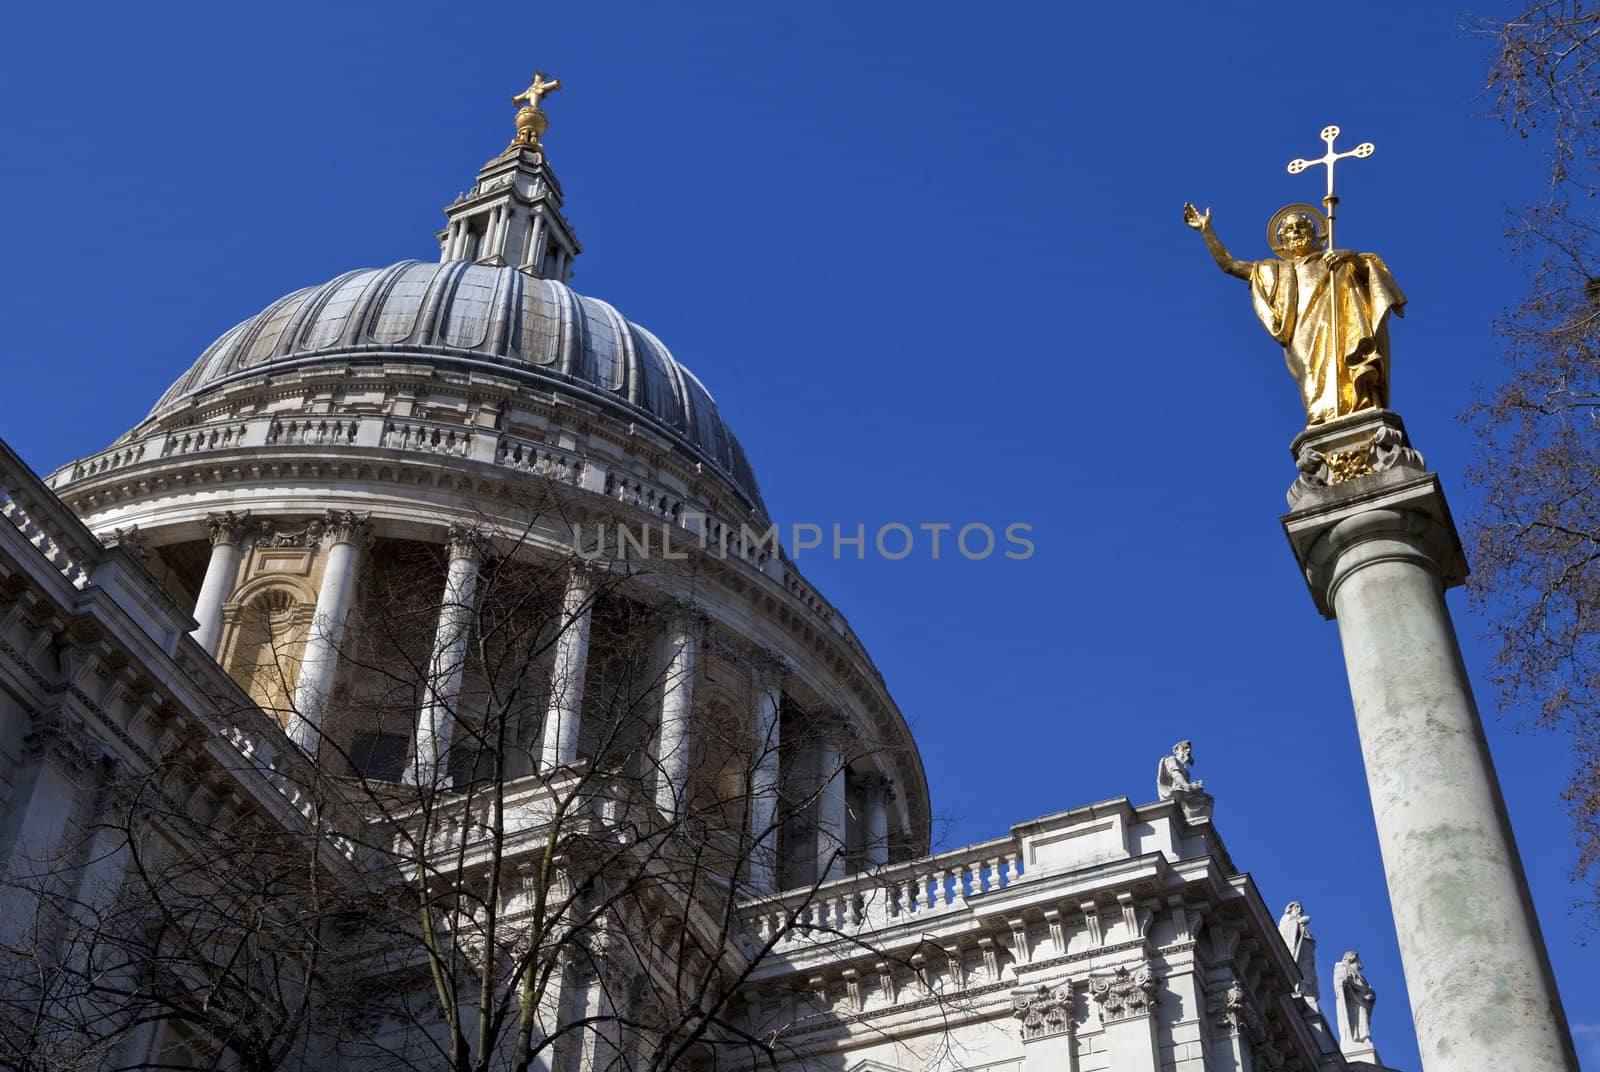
<point>1537,542</point>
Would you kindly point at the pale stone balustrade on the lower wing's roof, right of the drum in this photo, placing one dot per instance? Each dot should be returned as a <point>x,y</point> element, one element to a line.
<point>890,897</point>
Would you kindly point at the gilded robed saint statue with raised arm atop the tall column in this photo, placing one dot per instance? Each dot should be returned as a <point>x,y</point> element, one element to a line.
<point>1329,310</point>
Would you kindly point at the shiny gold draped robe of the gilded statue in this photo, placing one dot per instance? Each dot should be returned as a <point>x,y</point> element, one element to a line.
<point>1337,350</point>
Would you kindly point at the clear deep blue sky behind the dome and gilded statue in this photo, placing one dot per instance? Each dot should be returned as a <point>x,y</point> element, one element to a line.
<point>932,263</point>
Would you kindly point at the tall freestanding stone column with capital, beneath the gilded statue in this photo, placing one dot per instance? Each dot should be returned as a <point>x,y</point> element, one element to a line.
<point>1375,538</point>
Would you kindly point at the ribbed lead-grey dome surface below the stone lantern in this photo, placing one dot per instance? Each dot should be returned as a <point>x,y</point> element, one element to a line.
<point>471,314</point>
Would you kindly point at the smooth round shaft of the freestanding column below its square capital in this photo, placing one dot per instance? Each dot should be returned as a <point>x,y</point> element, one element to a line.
<point>1478,972</point>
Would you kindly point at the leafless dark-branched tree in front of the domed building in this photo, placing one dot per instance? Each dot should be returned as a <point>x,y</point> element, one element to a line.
<point>490,910</point>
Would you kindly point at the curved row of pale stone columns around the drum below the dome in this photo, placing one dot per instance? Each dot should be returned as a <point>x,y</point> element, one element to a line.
<point>342,534</point>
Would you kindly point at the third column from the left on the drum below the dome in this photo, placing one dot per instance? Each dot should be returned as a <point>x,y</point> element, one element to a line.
<point>442,689</point>
